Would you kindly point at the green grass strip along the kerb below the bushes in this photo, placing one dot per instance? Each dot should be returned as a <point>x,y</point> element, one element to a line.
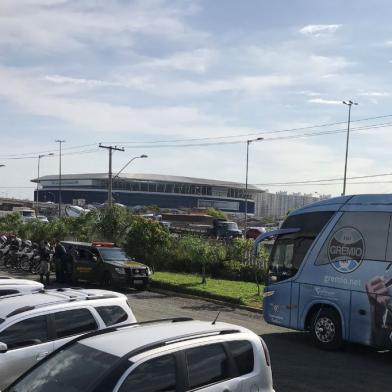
<point>236,292</point>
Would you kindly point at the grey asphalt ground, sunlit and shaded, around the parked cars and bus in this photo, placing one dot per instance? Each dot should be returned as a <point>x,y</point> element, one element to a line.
<point>297,365</point>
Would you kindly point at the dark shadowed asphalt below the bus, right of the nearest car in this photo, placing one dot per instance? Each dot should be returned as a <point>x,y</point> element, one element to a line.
<point>299,366</point>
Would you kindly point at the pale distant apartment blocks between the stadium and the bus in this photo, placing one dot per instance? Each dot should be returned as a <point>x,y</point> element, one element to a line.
<point>276,205</point>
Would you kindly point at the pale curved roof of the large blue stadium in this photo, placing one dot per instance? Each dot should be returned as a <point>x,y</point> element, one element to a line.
<point>151,177</point>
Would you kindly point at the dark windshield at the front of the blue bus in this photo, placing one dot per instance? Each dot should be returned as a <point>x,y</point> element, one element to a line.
<point>289,250</point>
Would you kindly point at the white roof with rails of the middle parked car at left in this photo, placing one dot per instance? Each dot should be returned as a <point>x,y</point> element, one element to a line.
<point>18,304</point>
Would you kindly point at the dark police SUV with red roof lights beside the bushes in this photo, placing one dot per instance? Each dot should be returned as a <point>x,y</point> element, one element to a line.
<point>106,264</point>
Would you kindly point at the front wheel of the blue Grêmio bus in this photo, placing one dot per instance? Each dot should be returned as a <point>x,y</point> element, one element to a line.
<point>326,329</point>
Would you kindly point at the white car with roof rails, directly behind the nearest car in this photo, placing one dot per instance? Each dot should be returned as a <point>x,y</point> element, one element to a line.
<point>34,325</point>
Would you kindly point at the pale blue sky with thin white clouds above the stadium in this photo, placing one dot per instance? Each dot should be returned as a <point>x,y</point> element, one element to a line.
<point>188,82</point>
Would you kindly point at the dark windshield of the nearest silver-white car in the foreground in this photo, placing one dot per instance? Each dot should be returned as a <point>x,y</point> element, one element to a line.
<point>63,372</point>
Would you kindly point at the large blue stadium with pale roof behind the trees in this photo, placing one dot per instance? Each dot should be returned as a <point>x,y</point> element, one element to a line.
<point>148,189</point>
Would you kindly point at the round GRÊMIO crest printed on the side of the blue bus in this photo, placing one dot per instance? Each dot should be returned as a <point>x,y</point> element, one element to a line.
<point>346,249</point>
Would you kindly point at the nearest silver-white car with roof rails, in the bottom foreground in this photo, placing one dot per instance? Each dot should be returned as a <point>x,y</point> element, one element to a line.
<point>162,355</point>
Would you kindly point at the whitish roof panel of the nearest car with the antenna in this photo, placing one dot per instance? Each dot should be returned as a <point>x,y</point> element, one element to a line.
<point>126,339</point>
